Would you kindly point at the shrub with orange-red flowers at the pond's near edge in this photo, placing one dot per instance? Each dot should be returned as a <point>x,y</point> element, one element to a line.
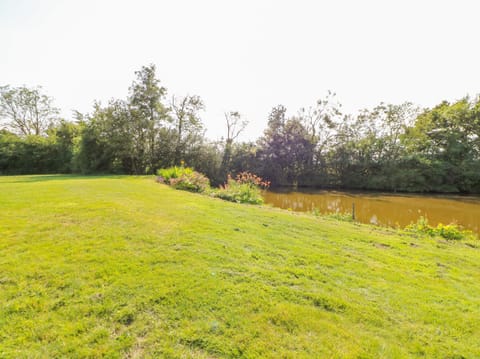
<point>245,188</point>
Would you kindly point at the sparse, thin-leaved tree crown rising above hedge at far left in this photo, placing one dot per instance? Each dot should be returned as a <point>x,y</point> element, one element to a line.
<point>27,111</point>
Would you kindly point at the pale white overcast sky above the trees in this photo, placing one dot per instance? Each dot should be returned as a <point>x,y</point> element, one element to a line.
<point>244,55</point>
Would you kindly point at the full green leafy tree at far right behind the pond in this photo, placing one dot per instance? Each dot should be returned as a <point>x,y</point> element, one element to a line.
<point>444,144</point>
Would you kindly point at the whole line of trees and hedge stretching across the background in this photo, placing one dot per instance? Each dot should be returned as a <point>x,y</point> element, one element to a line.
<point>389,147</point>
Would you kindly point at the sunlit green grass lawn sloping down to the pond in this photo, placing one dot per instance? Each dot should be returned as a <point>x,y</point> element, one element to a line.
<point>126,267</point>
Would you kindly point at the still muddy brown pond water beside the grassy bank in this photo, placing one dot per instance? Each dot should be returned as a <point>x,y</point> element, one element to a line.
<point>384,209</point>
